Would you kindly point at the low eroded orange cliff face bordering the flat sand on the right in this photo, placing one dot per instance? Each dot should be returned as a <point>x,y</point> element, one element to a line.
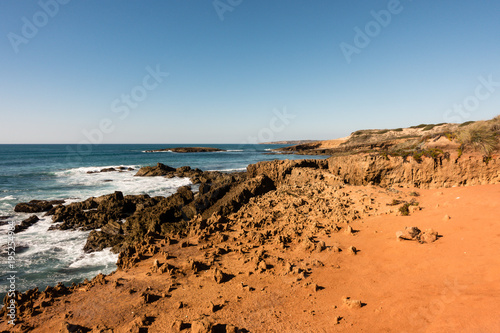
<point>384,171</point>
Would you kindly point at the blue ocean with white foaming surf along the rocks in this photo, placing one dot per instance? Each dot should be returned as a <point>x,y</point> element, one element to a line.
<point>49,172</point>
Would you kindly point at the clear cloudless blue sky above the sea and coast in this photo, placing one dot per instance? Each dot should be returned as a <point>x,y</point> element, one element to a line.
<point>241,70</point>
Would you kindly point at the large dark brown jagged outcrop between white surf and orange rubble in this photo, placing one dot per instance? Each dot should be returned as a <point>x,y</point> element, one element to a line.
<point>124,220</point>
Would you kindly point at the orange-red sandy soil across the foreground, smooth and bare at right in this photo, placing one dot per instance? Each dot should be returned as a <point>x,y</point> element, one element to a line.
<point>450,285</point>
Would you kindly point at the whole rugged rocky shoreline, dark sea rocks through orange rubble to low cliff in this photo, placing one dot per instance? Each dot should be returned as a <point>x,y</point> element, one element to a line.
<point>274,222</point>
